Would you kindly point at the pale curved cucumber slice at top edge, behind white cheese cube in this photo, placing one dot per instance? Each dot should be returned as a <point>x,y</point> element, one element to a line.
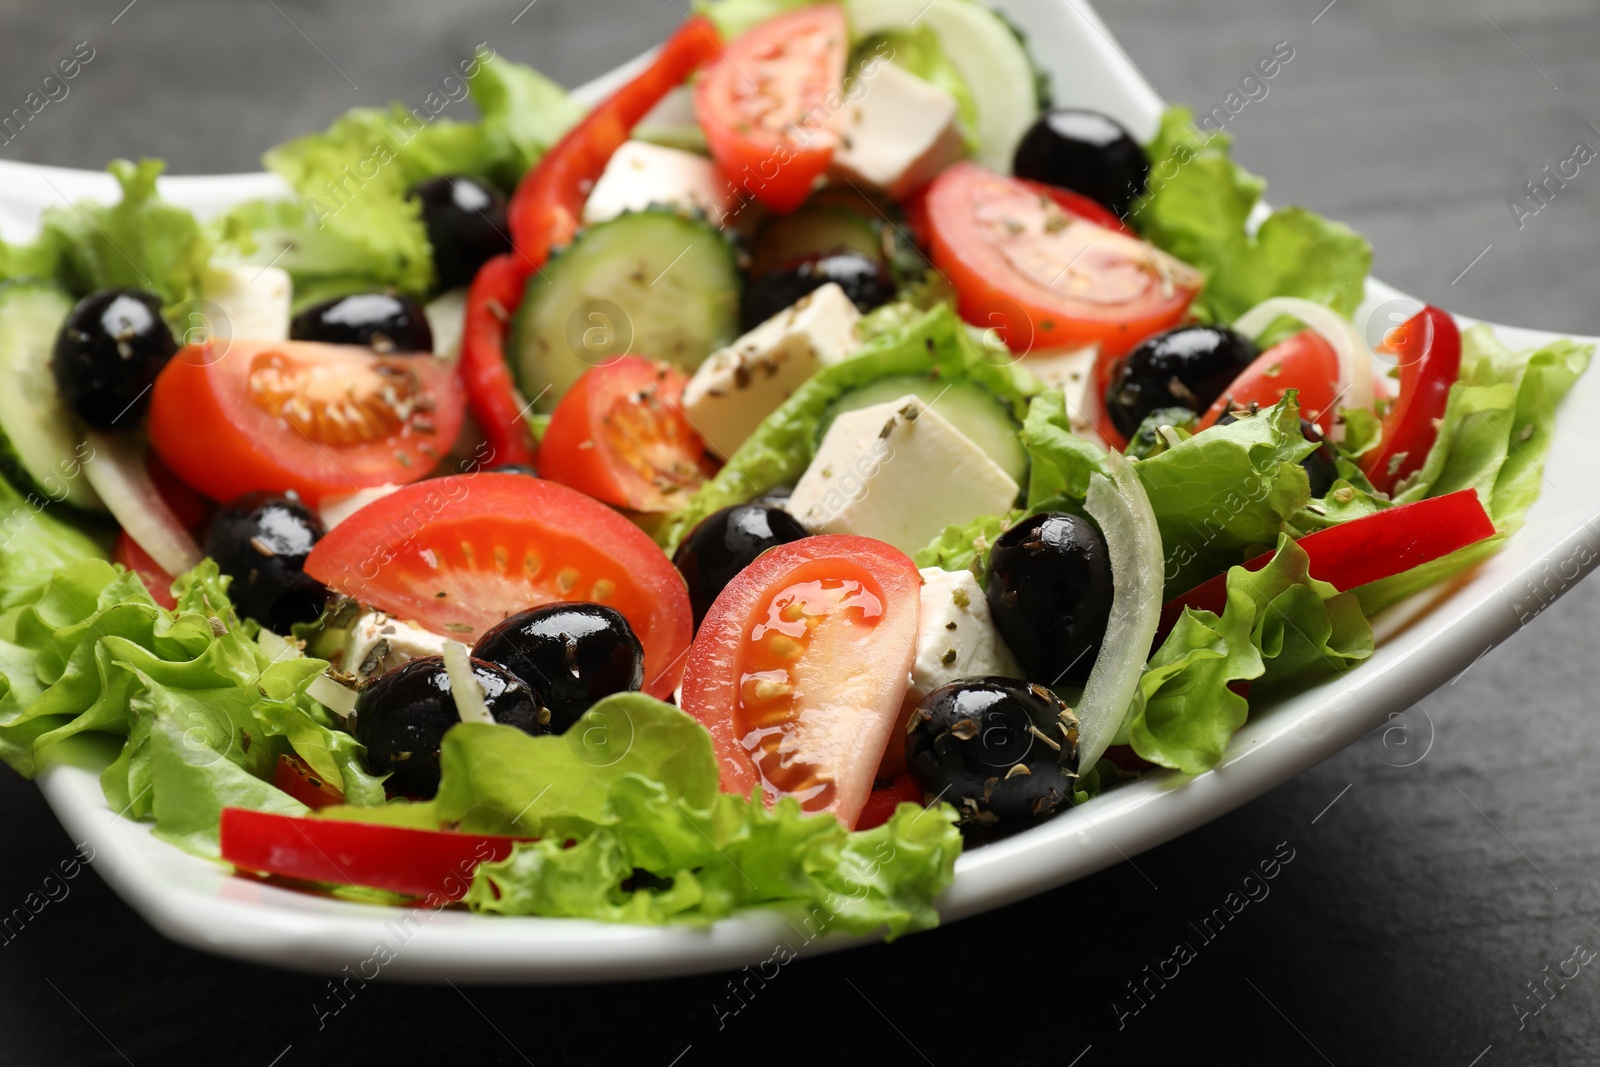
<point>985,52</point>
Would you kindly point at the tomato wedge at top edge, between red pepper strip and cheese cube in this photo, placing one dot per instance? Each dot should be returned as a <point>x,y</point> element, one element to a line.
<point>766,106</point>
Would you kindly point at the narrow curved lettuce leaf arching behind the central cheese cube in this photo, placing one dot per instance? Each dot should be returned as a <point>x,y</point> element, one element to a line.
<point>934,343</point>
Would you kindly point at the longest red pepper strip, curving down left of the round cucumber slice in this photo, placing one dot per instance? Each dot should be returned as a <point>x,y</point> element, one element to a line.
<point>545,214</point>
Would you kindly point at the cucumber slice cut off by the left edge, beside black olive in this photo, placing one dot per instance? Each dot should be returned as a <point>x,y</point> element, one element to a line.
<point>42,450</point>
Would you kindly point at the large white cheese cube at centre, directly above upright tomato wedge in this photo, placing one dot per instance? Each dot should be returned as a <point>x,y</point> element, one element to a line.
<point>898,473</point>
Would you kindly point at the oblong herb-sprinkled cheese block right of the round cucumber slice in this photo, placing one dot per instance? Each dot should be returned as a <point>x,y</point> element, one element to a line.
<point>745,383</point>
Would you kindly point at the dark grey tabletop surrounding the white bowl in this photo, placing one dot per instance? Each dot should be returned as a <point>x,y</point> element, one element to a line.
<point>1417,909</point>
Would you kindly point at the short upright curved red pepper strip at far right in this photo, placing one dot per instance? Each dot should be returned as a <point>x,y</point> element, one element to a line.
<point>1430,350</point>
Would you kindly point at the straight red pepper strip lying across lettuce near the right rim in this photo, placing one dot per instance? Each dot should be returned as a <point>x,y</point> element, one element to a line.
<point>1367,549</point>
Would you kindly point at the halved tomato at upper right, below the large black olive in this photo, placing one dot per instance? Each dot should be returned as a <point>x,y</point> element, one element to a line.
<point>1046,278</point>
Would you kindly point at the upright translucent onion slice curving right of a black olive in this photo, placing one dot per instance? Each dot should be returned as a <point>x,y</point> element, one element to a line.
<point>1134,543</point>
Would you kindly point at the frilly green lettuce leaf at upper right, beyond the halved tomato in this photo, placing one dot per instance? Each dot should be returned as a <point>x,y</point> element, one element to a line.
<point>1198,207</point>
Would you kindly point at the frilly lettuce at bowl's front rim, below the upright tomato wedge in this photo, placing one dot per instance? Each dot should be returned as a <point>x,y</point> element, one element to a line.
<point>634,828</point>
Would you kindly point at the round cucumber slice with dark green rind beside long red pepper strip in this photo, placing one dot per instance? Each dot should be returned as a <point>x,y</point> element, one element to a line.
<point>652,284</point>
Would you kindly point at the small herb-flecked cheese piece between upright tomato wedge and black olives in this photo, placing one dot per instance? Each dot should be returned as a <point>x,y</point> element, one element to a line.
<point>956,636</point>
